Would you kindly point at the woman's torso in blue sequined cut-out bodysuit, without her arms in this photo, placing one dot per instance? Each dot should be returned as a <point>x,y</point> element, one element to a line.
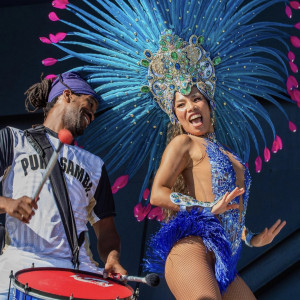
<point>227,172</point>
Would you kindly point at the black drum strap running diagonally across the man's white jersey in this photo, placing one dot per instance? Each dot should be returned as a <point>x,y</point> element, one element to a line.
<point>37,138</point>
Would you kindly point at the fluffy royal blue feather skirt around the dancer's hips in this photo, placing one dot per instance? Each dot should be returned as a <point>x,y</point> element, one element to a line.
<point>194,223</point>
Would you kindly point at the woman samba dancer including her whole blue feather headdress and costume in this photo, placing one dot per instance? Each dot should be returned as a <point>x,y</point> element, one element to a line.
<point>159,63</point>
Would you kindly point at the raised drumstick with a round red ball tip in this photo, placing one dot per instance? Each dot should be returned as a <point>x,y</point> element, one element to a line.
<point>65,137</point>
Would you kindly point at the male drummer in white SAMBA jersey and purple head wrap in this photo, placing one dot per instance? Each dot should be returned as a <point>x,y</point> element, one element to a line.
<point>35,231</point>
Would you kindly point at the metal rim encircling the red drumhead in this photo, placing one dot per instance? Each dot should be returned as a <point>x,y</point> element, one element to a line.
<point>47,296</point>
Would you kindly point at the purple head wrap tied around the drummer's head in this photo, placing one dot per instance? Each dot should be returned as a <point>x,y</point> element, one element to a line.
<point>74,82</point>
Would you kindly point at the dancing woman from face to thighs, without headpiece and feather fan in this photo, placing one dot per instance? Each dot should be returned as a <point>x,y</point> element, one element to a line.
<point>218,178</point>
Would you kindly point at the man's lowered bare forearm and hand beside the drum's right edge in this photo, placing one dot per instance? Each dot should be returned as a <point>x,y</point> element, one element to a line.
<point>109,245</point>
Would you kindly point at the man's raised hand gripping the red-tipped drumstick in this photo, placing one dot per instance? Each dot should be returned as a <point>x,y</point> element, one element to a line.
<point>21,208</point>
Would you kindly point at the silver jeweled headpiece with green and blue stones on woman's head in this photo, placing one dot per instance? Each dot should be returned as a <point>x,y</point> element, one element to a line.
<point>176,67</point>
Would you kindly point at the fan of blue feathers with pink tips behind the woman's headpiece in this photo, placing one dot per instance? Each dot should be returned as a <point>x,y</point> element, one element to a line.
<point>112,44</point>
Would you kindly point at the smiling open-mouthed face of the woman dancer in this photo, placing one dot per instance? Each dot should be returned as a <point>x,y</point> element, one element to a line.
<point>193,112</point>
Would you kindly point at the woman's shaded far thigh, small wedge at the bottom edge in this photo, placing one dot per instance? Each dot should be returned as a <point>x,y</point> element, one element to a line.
<point>238,290</point>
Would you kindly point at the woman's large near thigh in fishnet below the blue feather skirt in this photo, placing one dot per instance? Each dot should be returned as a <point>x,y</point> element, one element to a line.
<point>189,271</point>
